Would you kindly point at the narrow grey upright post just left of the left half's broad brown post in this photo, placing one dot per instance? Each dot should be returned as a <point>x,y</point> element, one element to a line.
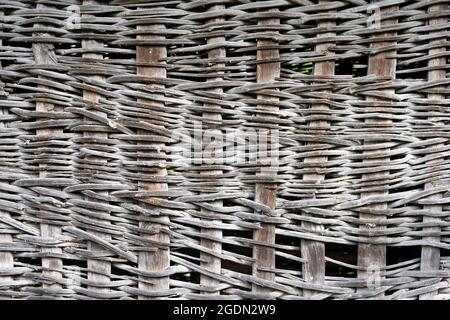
<point>97,268</point>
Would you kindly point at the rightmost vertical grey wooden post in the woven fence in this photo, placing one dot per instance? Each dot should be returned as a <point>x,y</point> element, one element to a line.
<point>430,257</point>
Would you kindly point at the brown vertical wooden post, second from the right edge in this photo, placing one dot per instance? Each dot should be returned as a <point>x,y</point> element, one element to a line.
<point>373,257</point>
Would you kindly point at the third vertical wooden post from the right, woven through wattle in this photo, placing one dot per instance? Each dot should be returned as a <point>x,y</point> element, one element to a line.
<point>313,251</point>
